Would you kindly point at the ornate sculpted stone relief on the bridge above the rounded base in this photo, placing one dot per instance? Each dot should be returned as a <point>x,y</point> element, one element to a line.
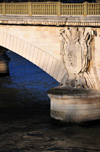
<point>76,53</point>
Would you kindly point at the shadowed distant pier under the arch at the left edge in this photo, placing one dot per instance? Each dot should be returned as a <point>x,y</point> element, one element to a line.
<point>4,62</point>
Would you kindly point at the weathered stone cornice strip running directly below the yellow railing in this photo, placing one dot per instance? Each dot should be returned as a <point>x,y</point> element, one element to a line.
<point>89,21</point>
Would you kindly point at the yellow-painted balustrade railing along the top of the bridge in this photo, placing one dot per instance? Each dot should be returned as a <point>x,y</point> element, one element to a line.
<point>50,8</point>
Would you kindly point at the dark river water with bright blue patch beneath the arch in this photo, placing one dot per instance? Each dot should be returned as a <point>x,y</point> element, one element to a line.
<point>25,124</point>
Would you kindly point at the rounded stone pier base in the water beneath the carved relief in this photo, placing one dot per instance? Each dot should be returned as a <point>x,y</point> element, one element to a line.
<point>74,105</point>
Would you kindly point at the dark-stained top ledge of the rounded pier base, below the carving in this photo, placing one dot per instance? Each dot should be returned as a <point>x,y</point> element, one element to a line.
<point>72,91</point>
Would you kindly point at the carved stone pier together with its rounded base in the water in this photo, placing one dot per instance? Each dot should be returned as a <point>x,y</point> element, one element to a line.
<point>77,99</point>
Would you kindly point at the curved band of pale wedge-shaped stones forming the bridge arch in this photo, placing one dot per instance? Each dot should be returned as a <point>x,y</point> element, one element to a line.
<point>39,57</point>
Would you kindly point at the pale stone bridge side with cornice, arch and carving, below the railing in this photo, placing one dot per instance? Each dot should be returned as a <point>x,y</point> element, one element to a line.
<point>66,47</point>
